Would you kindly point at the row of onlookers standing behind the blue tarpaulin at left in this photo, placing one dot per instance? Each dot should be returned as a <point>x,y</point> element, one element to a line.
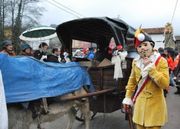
<point>55,55</point>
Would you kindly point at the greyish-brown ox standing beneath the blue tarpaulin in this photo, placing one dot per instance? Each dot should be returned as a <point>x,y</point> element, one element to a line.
<point>23,118</point>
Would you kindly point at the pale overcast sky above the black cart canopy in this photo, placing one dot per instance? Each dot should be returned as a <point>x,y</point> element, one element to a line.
<point>149,13</point>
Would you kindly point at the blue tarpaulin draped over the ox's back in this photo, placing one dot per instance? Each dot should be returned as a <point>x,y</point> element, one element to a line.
<point>26,78</point>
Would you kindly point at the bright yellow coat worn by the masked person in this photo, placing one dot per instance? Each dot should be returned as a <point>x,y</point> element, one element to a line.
<point>150,107</point>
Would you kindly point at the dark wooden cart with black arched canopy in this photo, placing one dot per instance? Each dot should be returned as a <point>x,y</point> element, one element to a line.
<point>109,92</point>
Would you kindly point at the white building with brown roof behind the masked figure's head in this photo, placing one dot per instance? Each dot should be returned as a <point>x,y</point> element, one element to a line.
<point>157,35</point>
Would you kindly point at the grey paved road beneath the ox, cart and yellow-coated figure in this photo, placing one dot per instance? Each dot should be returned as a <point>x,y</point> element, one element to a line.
<point>116,120</point>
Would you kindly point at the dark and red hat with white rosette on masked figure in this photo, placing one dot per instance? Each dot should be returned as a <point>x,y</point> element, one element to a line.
<point>141,36</point>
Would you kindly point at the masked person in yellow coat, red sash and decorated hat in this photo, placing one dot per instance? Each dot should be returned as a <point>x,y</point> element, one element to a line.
<point>149,76</point>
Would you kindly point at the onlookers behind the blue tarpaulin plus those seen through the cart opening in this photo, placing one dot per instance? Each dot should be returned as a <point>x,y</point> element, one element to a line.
<point>55,55</point>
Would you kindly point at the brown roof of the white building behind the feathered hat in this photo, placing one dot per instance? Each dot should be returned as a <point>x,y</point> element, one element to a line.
<point>159,30</point>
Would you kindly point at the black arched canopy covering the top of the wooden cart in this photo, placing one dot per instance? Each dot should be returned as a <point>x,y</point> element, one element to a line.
<point>98,30</point>
